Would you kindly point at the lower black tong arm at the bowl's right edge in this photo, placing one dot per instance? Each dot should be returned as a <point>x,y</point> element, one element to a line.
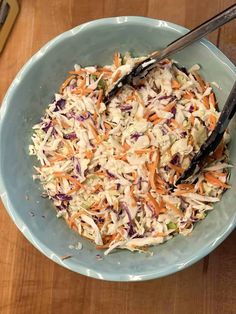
<point>214,139</point>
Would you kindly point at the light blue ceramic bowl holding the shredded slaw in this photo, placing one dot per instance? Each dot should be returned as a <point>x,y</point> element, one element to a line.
<point>24,104</point>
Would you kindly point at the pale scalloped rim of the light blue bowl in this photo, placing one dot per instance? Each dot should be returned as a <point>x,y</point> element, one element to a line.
<point>12,211</point>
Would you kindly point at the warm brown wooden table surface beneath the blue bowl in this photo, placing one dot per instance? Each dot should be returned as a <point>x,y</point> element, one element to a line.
<point>30,282</point>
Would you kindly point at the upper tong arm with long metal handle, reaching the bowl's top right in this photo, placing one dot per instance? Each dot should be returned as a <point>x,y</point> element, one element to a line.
<point>141,69</point>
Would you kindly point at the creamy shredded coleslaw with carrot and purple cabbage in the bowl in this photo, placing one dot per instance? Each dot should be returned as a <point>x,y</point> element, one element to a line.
<point>108,170</point>
